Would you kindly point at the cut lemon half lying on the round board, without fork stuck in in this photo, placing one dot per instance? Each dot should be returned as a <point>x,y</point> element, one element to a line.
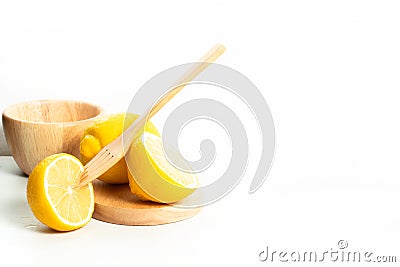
<point>152,176</point>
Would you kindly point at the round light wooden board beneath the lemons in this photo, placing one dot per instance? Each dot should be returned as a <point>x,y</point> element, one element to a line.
<point>116,204</point>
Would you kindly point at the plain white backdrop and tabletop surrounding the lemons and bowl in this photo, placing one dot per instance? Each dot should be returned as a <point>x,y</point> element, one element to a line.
<point>329,71</point>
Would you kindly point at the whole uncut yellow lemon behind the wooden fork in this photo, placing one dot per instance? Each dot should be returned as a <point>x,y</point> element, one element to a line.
<point>101,133</point>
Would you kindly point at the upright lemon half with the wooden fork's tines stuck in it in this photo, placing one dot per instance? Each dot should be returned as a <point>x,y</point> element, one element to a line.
<point>53,196</point>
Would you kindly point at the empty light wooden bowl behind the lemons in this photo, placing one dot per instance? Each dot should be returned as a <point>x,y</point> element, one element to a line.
<point>37,129</point>
